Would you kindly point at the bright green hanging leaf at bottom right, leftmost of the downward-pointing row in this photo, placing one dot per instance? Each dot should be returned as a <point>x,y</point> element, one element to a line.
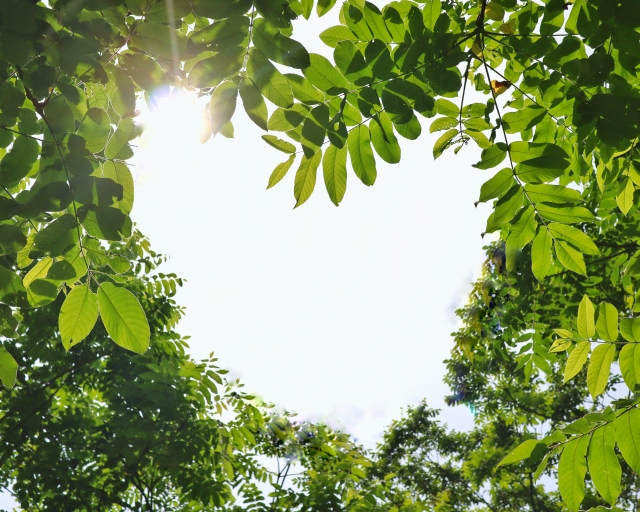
<point>572,469</point>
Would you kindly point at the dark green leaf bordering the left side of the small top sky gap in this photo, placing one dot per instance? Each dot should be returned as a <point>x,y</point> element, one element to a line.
<point>281,49</point>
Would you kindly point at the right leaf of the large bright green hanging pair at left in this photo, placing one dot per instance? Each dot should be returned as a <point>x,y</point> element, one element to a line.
<point>123,318</point>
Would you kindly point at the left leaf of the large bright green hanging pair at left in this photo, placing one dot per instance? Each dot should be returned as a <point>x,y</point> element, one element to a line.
<point>78,315</point>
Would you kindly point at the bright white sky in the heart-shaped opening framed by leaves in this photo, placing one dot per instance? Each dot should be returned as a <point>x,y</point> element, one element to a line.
<point>342,314</point>
